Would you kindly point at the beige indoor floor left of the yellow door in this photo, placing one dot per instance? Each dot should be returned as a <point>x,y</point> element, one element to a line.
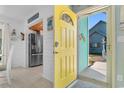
<point>27,78</point>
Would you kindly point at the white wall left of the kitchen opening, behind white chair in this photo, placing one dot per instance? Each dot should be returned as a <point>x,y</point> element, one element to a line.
<point>19,50</point>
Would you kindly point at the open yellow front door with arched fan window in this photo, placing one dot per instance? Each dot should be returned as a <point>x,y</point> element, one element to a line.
<point>65,46</point>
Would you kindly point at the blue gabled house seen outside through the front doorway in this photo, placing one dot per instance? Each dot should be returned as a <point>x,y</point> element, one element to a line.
<point>96,35</point>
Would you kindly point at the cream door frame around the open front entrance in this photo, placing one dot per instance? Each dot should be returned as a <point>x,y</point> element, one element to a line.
<point>112,78</point>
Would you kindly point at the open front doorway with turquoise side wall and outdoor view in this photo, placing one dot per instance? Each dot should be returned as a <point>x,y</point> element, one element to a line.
<point>94,46</point>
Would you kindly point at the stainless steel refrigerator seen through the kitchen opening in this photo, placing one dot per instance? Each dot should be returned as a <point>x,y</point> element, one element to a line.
<point>35,47</point>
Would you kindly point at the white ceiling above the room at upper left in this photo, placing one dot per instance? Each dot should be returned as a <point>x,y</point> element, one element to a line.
<point>17,12</point>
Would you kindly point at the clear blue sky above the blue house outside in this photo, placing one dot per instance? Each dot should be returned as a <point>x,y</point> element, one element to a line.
<point>95,18</point>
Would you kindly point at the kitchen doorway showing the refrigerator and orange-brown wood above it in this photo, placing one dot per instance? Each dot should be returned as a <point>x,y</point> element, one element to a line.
<point>35,46</point>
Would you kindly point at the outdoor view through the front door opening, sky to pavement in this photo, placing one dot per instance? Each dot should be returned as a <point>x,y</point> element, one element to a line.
<point>97,61</point>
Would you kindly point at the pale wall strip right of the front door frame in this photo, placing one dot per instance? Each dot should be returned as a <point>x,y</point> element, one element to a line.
<point>120,48</point>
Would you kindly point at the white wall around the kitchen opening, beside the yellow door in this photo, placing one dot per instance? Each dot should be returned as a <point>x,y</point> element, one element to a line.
<point>48,63</point>
